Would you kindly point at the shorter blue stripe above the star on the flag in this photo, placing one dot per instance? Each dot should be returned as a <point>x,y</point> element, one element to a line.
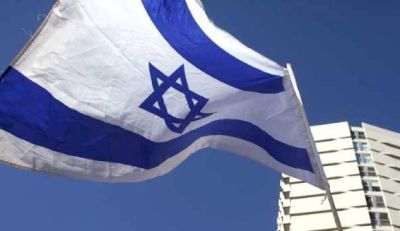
<point>175,22</point>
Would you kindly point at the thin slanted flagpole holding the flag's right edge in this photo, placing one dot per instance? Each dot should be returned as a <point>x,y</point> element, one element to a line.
<point>314,147</point>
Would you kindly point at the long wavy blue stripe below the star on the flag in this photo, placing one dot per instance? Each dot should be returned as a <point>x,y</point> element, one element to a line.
<point>29,112</point>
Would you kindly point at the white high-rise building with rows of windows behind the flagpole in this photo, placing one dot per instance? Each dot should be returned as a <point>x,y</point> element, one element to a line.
<point>362,165</point>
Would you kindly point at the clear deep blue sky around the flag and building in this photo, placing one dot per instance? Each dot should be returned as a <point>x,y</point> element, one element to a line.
<point>345,56</point>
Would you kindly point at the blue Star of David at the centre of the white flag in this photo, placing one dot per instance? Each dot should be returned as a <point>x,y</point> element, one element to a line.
<point>155,102</point>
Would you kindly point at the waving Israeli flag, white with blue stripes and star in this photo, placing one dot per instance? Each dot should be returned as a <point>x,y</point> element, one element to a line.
<point>125,90</point>
